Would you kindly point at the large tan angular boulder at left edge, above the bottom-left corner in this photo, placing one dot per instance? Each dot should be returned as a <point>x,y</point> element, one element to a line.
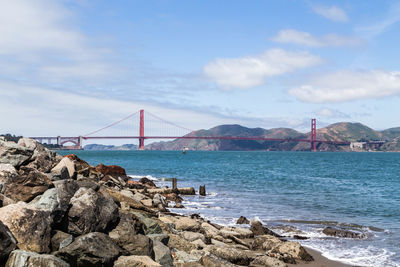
<point>29,225</point>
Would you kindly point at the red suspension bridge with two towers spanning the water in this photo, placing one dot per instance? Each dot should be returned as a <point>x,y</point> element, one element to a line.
<point>150,126</point>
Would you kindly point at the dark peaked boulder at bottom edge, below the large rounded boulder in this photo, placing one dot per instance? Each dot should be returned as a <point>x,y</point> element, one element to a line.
<point>93,249</point>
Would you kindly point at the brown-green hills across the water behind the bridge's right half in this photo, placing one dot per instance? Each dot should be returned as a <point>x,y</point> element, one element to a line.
<point>342,131</point>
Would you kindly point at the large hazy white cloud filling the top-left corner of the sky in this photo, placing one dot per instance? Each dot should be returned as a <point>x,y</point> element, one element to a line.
<point>38,42</point>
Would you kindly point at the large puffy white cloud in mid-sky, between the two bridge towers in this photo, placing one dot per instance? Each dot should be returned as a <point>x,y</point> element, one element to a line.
<point>252,71</point>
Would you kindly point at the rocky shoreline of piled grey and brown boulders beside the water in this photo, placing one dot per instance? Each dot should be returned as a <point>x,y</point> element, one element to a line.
<point>61,211</point>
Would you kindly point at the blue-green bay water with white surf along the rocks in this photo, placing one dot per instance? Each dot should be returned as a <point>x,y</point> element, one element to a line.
<point>291,192</point>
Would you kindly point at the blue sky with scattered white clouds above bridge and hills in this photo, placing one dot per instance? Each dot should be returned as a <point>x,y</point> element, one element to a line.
<point>69,67</point>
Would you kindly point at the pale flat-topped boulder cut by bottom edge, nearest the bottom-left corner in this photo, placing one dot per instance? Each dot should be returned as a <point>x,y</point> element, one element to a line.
<point>25,258</point>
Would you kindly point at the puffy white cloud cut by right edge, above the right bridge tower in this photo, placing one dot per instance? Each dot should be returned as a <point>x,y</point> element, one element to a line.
<point>348,85</point>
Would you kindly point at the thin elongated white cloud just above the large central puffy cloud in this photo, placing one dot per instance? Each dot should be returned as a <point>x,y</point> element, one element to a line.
<point>305,38</point>
